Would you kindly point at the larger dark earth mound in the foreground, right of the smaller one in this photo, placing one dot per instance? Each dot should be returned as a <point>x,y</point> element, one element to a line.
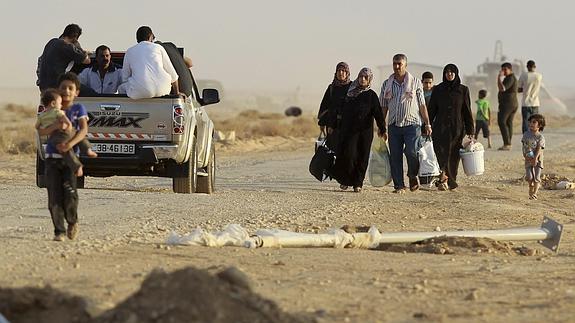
<point>192,295</point>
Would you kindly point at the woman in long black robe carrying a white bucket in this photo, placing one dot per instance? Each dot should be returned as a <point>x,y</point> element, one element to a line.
<point>450,114</point>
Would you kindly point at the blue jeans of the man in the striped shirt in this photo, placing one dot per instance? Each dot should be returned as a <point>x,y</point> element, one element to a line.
<point>404,140</point>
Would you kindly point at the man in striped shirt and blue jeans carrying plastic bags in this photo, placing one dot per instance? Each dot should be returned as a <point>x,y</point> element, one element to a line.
<point>404,107</point>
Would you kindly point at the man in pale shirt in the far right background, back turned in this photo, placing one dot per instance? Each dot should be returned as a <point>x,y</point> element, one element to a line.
<point>529,85</point>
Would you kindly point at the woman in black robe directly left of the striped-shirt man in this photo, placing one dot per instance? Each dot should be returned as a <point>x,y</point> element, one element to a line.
<point>361,106</point>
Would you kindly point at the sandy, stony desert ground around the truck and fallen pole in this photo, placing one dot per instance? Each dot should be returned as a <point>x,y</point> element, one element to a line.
<point>264,183</point>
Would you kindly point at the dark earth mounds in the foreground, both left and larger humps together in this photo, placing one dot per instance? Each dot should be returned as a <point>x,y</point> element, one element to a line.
<point>187,295</point>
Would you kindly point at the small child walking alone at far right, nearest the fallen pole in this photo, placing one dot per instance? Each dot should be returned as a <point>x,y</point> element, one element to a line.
<point>533,145</point>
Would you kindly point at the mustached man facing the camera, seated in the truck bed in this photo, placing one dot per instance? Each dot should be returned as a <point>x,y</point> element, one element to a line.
<point>105,76</point>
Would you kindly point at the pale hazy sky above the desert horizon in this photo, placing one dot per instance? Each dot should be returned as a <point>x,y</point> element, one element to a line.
<point>266,45</point>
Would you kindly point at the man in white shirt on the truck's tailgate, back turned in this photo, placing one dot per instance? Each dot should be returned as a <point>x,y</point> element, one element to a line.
<point>147,71</point>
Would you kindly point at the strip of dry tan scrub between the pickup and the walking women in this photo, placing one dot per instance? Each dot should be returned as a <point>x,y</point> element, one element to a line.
<point>250,124</point>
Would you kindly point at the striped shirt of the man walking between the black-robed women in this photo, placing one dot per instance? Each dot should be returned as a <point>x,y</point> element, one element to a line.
<point>404,113</point>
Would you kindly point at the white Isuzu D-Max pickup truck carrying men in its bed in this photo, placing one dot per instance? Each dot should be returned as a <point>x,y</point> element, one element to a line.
<point>168,136</point>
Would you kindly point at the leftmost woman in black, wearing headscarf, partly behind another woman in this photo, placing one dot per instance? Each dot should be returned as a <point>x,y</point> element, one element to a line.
<point>333,100</point>
